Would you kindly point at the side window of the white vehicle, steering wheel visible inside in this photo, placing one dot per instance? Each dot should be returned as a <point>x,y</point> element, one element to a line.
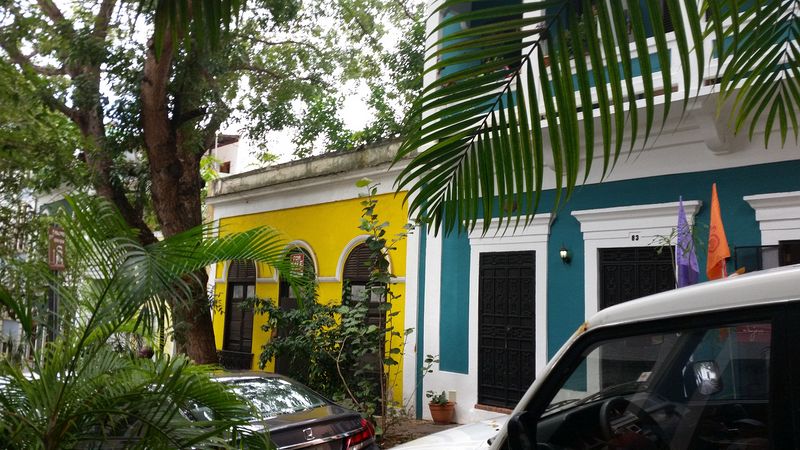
<point>683,389</point>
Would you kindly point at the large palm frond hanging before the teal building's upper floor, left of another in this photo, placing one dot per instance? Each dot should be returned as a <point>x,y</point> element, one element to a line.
<point>517,78</point>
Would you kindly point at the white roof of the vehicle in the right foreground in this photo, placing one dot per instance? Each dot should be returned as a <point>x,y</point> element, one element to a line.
<point>757,288</point>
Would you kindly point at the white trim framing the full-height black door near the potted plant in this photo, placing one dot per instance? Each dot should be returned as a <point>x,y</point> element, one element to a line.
<point>534,237</point>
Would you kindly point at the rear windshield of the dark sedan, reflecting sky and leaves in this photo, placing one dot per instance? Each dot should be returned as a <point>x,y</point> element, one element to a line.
<point>273,396</point>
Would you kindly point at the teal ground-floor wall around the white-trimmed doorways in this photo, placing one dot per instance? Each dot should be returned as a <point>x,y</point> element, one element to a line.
<point>565,284</point>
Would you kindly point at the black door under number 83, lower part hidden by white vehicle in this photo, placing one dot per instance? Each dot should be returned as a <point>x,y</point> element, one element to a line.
<point>631,272</point>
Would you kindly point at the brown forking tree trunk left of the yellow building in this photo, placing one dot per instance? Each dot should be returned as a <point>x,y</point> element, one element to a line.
<point>173,152</point>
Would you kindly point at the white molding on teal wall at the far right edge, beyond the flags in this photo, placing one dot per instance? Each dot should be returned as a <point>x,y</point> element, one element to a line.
<point>778,215</point>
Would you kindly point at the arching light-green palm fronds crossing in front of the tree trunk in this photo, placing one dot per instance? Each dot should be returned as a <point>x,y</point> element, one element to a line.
<point>127,280</point>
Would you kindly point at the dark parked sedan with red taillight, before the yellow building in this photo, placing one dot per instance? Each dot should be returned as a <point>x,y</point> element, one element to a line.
<point>296,416</point>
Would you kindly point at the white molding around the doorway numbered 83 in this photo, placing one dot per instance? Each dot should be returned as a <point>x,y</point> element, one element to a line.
<point>625,226</point>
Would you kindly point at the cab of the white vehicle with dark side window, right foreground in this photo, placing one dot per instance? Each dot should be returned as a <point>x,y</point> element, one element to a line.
<point>711,366</point>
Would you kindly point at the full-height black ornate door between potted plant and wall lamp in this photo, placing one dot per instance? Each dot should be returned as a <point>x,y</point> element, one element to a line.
<point>506,327</point>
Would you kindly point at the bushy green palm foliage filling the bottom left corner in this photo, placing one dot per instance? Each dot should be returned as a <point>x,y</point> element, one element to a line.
<point>117,401</point>
